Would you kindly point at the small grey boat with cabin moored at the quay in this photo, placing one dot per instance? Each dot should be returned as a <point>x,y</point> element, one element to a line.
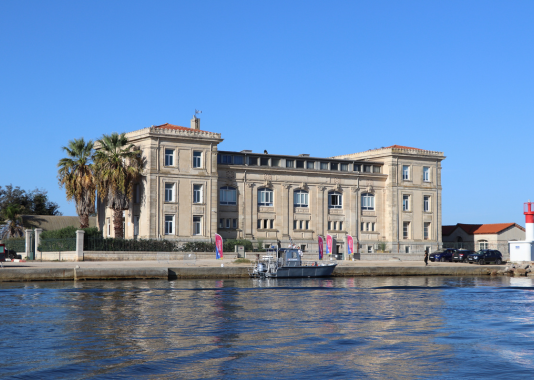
<point>287,262</point>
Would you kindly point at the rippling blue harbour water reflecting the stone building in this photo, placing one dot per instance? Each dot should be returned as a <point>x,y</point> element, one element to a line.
<point>411,327</point>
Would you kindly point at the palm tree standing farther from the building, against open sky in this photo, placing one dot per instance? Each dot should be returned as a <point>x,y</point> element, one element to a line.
<point>76,174</point>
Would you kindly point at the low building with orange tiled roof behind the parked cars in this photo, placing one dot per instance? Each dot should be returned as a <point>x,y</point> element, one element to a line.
<point>482,236</point>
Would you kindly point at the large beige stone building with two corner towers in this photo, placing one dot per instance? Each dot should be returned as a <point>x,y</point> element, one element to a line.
<point>386,199</point>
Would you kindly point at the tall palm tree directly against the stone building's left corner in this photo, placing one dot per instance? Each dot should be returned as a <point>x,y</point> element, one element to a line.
<point>117,166</point>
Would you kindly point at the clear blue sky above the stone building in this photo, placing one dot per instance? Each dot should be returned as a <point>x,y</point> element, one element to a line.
<point>317,77</point>
